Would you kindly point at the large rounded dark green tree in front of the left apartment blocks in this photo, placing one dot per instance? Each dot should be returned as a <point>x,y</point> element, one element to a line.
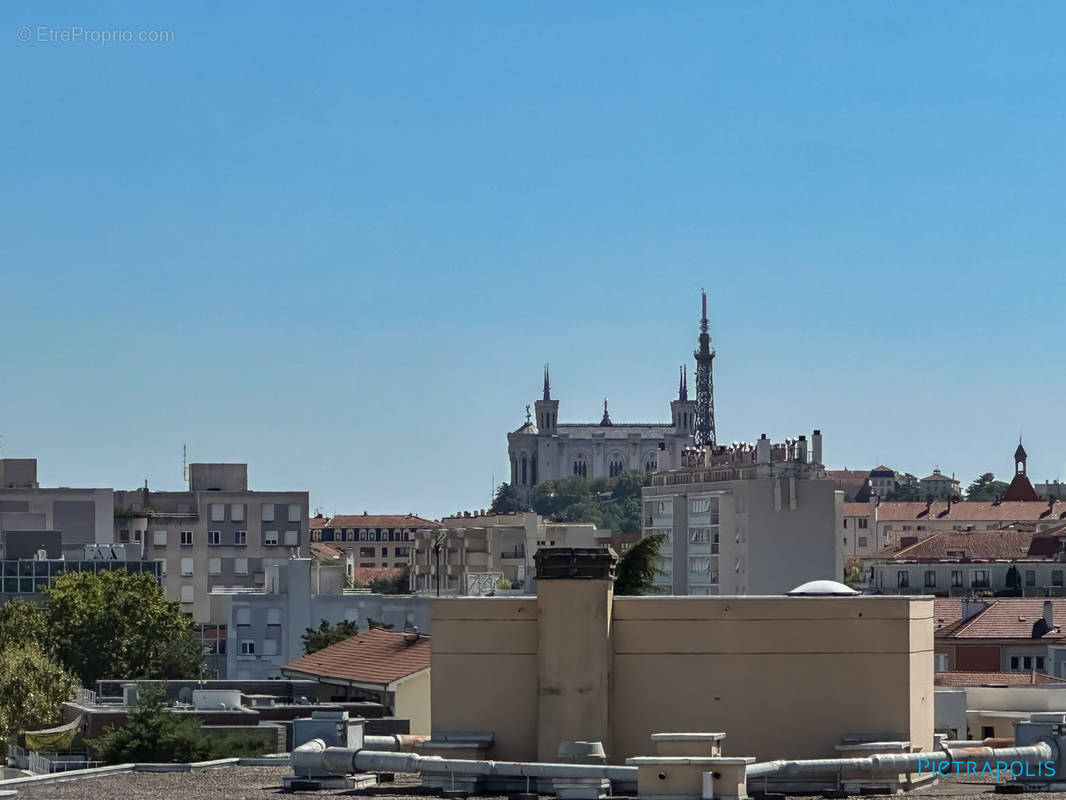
<point>115,625</point>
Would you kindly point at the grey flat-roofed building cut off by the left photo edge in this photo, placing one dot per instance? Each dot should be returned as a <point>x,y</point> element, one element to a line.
<point>56,520</point>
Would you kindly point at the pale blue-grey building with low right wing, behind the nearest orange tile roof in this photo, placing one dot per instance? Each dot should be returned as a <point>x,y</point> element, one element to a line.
<point>264,627</point>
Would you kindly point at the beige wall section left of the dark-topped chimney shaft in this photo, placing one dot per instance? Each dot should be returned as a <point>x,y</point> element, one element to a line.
<point>486,670</point>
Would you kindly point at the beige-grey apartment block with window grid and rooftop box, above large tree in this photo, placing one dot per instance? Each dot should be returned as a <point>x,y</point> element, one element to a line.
<point>217,534</point>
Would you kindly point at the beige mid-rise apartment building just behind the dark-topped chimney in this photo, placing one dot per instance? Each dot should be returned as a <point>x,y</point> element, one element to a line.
<point>492,545</point>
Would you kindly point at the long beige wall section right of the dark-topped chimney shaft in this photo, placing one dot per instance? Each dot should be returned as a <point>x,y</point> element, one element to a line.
<point>783,677</point>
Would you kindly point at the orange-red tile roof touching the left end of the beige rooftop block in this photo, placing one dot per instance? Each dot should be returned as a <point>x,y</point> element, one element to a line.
<point>380,658</point>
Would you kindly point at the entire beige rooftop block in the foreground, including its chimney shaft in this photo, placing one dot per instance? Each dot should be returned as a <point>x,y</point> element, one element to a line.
<point>783,677</point>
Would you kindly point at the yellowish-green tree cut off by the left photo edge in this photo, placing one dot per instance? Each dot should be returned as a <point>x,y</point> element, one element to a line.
<point>33,690</point>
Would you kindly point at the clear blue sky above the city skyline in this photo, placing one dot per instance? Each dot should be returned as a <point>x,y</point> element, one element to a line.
<point>340,241</point>
